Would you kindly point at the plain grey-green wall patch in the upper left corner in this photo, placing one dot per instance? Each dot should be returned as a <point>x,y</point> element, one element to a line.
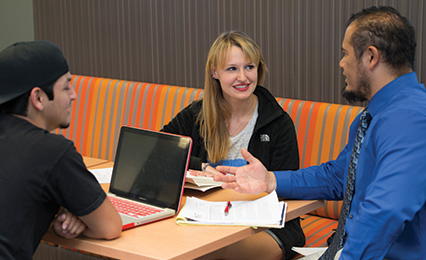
<point>16,22</point>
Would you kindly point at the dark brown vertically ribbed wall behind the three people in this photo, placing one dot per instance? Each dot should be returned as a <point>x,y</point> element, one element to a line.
<point>166,41</point>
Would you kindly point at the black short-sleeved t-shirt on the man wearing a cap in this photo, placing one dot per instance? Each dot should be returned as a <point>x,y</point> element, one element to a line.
<point>39,172</point>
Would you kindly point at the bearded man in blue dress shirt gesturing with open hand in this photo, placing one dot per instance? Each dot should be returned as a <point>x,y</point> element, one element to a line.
<point>387,218</point>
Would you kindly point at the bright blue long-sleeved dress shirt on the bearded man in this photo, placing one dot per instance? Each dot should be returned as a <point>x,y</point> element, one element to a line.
<point>388,212</point>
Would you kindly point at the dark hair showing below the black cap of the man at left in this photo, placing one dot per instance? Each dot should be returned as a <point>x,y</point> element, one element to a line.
<point>18,106</point>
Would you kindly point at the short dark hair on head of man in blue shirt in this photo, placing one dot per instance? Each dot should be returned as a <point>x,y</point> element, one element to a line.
<point>392,34</point>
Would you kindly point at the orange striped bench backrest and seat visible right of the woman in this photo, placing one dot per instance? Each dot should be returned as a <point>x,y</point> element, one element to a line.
<point>322,132</point>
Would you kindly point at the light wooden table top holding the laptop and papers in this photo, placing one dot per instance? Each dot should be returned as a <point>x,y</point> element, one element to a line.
<point>167,240</point>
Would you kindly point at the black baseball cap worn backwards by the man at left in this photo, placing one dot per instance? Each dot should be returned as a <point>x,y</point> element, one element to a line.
<point>25,65</point>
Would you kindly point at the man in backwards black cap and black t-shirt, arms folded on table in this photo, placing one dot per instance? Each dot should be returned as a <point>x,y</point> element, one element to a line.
<point>40,172</point>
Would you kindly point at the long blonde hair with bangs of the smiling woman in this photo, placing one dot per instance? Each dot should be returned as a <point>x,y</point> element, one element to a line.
<point>215,111</point>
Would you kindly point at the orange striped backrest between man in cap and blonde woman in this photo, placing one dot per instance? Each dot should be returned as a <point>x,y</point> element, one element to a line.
<point>104,105</point>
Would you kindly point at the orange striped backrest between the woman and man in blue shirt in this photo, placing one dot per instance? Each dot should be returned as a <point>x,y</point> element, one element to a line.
<point>322,128</point>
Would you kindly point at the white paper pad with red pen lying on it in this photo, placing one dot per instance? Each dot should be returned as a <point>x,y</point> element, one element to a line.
<point>267,211</point>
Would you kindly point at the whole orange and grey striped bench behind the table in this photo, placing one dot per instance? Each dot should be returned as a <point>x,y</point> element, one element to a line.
<point>104,105</point>
